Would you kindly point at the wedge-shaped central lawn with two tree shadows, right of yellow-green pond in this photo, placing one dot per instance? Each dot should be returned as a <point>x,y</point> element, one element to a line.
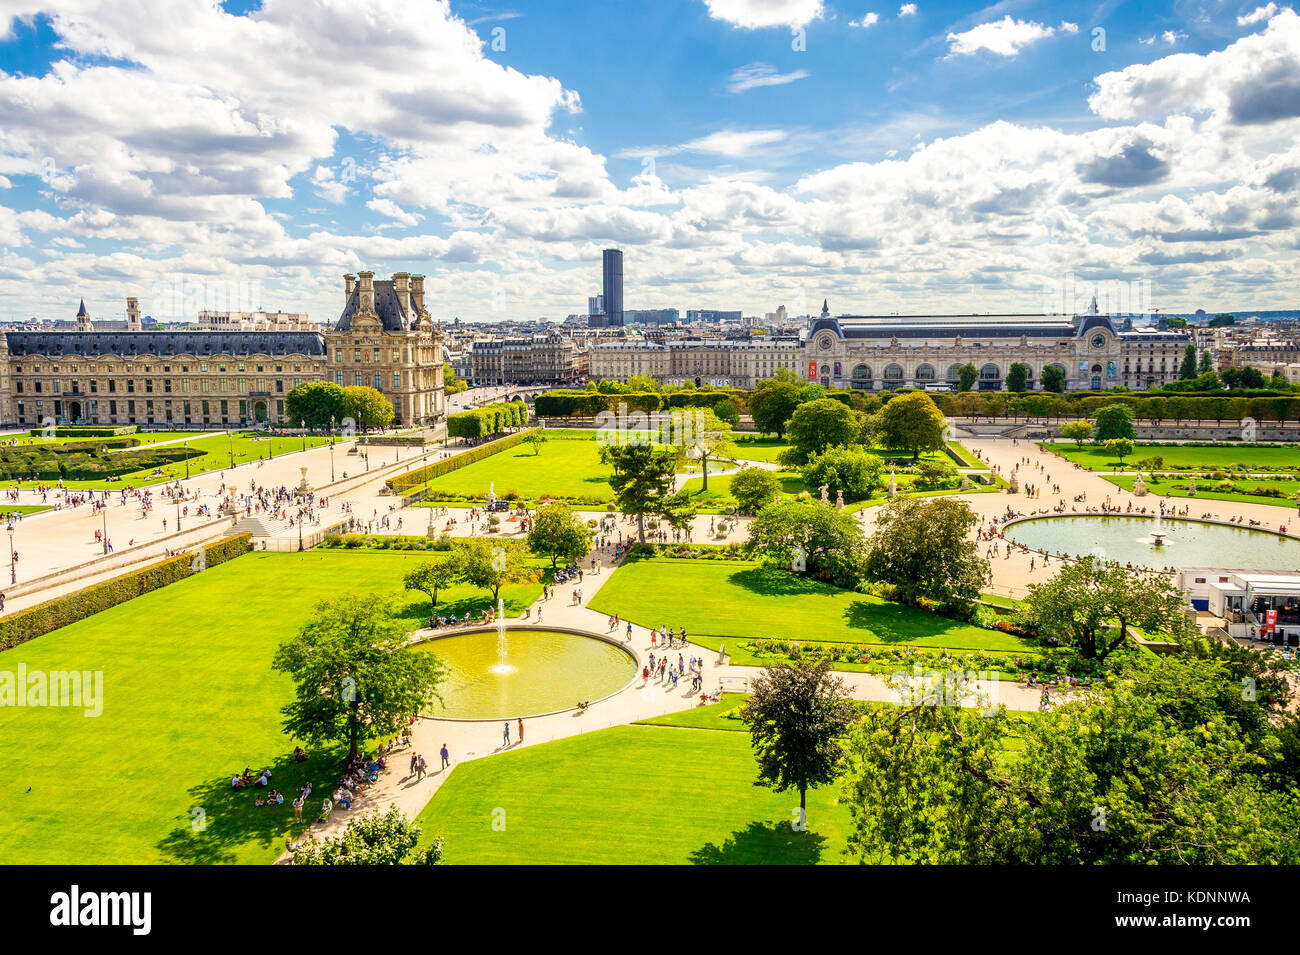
<point>721,601</point>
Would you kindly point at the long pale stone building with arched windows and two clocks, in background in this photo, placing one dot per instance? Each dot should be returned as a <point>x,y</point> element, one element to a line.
<point>1095,351</point>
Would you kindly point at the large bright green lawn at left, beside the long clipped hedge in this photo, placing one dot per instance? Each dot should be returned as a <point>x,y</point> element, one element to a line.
<point>189,701</point>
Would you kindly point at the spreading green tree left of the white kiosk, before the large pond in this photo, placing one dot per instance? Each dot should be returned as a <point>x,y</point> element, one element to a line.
<point>1091,604</point>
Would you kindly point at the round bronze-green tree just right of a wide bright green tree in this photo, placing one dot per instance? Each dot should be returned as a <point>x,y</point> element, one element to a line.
<point>922,549</point>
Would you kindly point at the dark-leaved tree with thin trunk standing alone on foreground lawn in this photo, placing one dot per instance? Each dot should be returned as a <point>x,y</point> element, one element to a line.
<point>796,717</point>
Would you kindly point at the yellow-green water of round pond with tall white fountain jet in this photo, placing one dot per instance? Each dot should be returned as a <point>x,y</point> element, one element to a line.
<point>547,671</point>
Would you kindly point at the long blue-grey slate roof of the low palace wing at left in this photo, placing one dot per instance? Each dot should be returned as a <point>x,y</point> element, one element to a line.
<point>164,344</point>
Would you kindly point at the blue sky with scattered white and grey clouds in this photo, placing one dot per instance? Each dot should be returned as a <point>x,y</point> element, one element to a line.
<point>925,158</point>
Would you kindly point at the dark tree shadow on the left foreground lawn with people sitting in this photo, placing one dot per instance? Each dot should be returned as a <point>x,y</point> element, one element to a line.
<point>231,821</point>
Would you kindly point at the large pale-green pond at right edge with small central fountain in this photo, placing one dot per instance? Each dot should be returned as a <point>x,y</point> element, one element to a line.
<point>1147,542</point>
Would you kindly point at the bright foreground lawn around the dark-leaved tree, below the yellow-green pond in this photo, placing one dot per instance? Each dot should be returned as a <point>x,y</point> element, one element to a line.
<point>644,796</point>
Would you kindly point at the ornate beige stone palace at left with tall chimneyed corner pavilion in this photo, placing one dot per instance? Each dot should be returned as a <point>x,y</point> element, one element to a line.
<point>222,379</point>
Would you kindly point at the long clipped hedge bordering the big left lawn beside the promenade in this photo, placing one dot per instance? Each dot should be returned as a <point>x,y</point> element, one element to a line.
<point>45,618</point>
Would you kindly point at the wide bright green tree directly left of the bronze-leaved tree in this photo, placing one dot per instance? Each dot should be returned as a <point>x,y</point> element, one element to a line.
<point>804,536</point>
